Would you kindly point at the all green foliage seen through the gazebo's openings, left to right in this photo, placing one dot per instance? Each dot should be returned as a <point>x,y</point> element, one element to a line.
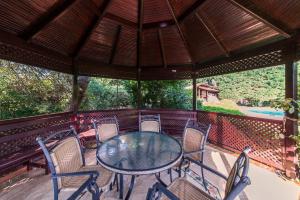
<point>27,91</point>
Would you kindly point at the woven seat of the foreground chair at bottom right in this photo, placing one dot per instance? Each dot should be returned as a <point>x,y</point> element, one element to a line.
<point>185,190</point>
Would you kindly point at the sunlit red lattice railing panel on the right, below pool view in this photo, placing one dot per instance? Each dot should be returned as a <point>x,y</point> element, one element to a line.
<point>237,132</point>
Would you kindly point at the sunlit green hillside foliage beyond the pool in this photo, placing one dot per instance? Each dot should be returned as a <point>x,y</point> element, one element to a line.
<point>258,87</point>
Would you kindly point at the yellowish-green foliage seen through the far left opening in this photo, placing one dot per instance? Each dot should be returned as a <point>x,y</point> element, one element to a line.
<point>27,91</point>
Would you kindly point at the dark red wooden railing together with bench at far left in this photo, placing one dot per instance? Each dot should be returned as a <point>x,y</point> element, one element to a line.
<point>18,144</point>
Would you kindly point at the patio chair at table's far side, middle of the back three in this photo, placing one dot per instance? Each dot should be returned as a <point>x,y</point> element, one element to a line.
<point>150,123</point>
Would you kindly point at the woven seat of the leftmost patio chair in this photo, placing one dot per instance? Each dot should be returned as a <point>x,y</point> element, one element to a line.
<point>103,180</point>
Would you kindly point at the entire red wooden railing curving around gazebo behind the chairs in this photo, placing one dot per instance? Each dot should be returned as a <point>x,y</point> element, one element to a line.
<point>228,131</point>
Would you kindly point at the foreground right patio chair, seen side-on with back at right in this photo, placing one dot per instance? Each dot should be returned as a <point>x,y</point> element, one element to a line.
<point>183,189</point>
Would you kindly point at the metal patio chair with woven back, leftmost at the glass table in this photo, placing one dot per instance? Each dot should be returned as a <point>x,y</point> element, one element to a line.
<point>66,162</point>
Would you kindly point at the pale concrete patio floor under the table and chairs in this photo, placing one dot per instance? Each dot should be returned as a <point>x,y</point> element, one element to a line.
<point>265,184</point>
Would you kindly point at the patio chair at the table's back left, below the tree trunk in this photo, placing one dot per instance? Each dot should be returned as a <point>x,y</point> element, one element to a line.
<point>105,129</point>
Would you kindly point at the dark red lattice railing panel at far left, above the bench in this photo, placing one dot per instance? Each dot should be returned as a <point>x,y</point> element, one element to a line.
<point>20,134</point>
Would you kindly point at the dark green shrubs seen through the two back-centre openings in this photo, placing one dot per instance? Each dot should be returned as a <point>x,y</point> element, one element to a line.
<point>109,93</point>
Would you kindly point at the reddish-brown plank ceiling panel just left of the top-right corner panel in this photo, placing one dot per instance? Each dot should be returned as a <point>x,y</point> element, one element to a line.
<point>235,28</point>
